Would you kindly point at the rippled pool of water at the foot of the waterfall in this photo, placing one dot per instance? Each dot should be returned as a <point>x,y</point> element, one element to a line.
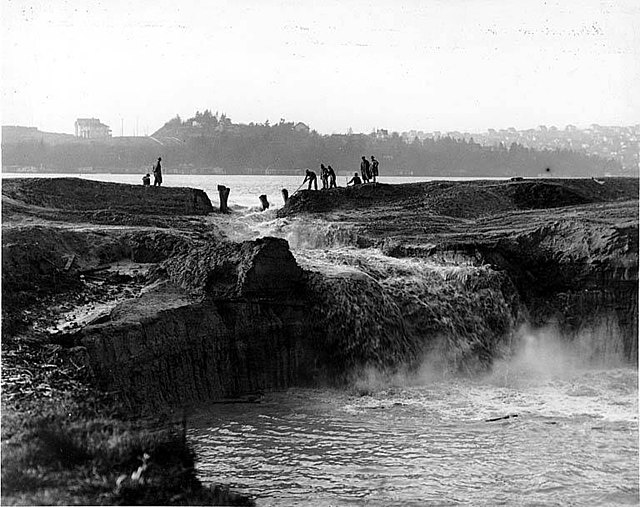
<point>427,442</point>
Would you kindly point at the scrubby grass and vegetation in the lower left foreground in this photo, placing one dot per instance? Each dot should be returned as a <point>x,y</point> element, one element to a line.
<point>64,442</point>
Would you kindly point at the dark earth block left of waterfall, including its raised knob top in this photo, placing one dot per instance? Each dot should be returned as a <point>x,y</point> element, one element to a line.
<point>226,321</point>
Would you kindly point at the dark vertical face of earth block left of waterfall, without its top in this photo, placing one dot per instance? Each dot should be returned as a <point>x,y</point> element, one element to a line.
<point>198,350</point>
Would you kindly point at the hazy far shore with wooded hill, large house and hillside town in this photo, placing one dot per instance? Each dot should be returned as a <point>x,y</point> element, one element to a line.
<point>211,143</point>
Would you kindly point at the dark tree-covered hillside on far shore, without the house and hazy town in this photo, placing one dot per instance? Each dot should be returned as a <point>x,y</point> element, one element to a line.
<point>211,143</point>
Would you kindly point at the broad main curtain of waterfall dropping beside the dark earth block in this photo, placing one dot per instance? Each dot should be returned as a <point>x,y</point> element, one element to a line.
<point>387,312</point>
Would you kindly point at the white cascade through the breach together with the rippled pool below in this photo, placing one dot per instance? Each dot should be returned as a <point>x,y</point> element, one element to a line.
<point>431,433</point>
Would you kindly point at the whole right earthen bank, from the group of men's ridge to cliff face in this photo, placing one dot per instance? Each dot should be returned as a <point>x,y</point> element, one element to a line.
<point>570,247</point>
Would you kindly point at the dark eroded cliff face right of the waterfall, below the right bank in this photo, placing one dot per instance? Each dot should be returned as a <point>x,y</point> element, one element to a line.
<point>578,274</point>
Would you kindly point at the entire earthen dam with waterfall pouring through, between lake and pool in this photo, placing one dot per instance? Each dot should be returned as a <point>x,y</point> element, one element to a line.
<point>163,303</point>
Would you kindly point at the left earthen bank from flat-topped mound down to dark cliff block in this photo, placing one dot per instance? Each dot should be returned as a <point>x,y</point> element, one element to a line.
<point>215,319</point>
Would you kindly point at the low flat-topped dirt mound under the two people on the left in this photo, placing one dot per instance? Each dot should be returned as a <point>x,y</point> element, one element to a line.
<point>77,194</point>
